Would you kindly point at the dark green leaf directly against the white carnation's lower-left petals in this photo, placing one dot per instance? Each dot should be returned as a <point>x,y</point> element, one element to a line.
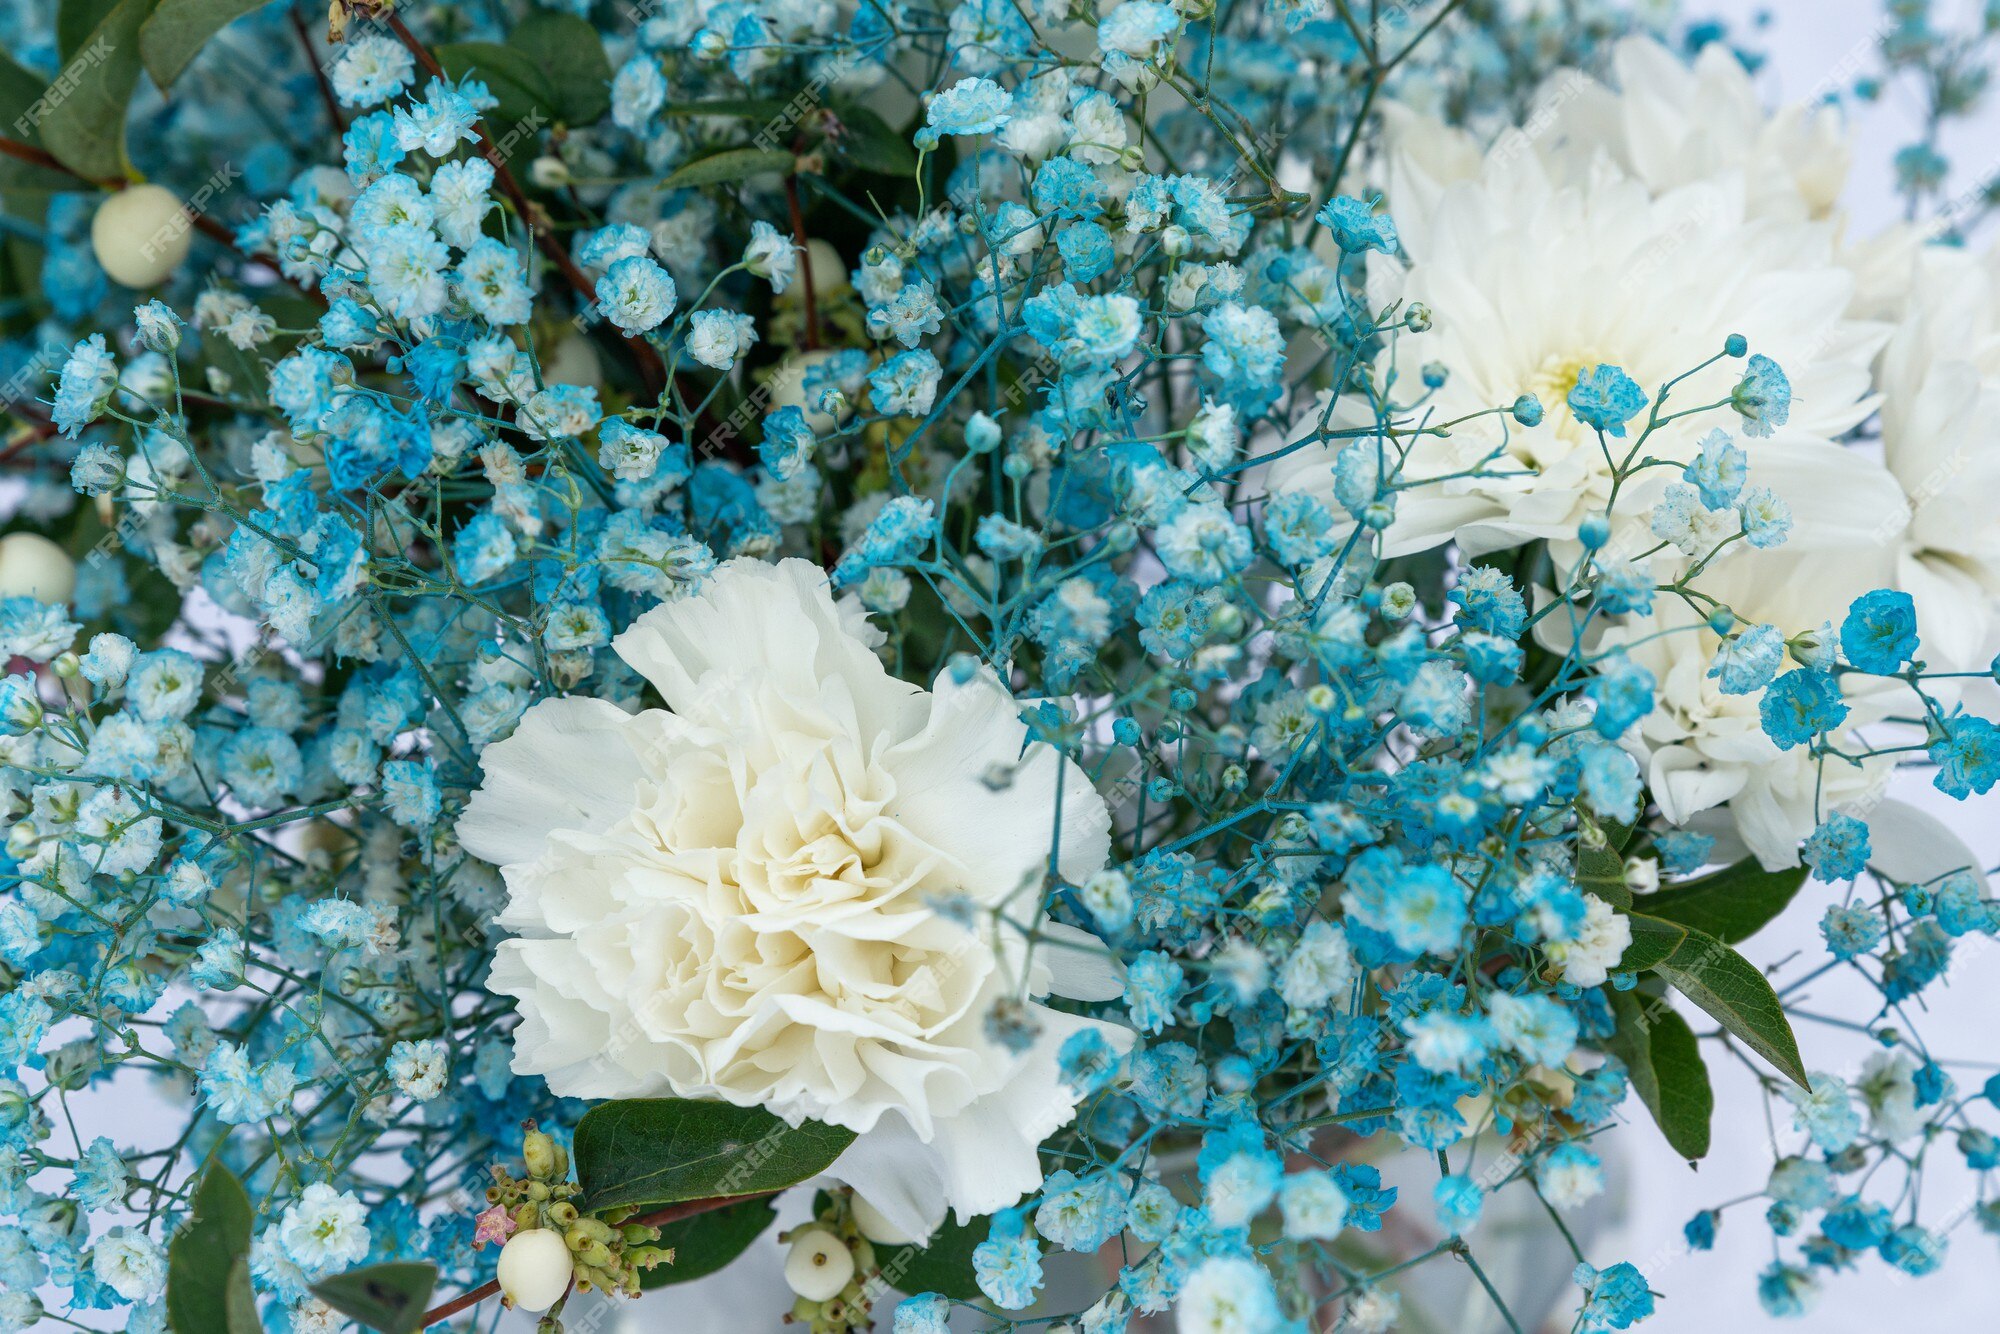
<point>665,1151</point>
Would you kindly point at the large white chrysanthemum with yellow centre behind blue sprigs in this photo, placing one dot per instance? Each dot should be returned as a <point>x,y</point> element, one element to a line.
<point>1533,283</point>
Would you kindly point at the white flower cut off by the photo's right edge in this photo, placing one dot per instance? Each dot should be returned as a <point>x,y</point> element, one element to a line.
<point>1941,439</point>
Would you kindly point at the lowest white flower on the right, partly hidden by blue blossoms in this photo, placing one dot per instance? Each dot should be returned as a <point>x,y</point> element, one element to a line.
<point>1703,749</point>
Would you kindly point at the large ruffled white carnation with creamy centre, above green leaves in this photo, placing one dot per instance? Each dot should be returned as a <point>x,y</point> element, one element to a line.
<point>739,899</point>
